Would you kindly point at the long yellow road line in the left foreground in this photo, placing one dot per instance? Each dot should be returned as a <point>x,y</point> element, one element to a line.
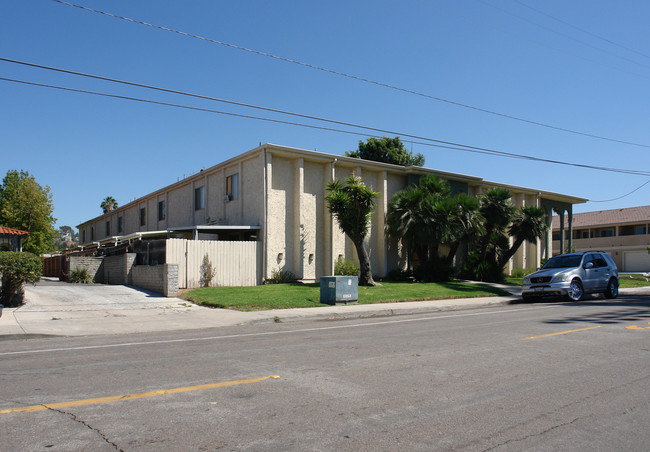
<point>141,395</point>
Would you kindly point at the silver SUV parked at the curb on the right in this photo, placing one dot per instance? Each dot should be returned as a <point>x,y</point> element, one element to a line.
<point>573,275</point>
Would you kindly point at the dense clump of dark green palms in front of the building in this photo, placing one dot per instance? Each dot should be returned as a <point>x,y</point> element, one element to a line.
<point>425,216</point>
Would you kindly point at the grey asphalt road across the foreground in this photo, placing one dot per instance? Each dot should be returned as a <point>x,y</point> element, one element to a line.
<point>543,376</point>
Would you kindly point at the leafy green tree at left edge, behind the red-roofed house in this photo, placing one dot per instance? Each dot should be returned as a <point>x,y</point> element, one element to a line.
<point>26,205</point>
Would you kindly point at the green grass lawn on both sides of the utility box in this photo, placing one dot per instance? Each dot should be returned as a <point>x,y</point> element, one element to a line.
<point>296,295</point>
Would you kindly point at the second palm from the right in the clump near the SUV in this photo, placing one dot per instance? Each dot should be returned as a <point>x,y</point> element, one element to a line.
<point>496,208</point>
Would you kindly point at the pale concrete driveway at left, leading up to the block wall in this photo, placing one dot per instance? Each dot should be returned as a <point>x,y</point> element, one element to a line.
<point>59,308</point>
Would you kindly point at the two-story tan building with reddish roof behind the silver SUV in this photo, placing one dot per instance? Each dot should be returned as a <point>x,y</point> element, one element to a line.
<point>623,233</point>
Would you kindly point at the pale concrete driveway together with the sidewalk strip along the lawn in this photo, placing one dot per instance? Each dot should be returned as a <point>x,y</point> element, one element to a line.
<point>54,308</point>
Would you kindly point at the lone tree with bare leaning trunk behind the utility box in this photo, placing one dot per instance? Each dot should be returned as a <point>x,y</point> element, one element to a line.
<point>352,204</point>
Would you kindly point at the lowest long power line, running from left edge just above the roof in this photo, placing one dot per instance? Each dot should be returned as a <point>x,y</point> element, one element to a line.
<point>429,141</point>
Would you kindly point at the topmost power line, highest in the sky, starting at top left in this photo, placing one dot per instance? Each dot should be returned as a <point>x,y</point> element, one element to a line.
<point>355,77</point>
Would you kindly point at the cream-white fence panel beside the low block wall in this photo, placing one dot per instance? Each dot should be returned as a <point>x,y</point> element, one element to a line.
<point>234,263</point>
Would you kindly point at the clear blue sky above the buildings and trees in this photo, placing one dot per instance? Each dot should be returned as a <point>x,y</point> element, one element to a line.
<point>505,56</point>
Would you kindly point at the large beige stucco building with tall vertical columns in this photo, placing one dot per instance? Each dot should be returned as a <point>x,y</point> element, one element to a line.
<point>276,195</point>
